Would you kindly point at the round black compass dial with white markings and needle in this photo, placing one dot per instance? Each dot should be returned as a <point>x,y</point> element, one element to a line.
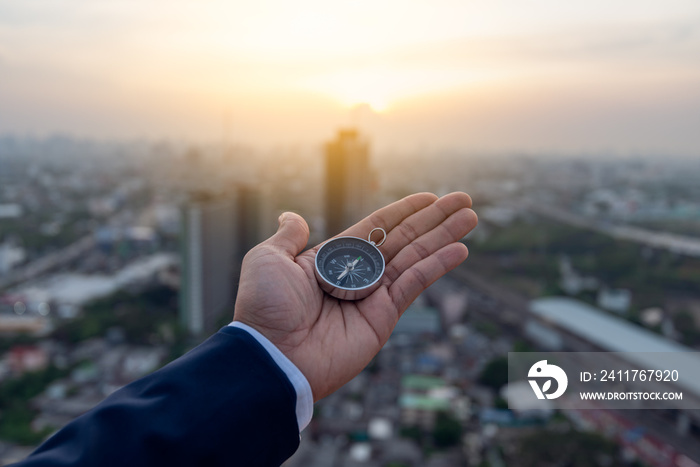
<point>349,263</point>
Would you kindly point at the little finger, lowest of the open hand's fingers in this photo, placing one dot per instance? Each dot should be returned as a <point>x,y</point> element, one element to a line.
<point>418,277</point>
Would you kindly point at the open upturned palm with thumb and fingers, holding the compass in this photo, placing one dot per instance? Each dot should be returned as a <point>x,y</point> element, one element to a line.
<point>332,340</point>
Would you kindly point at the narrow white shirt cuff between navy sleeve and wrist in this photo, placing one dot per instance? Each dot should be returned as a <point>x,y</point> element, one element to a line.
<point>305,398</point>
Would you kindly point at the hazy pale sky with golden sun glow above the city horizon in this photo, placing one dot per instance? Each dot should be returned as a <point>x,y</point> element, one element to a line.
<point>616,76</point>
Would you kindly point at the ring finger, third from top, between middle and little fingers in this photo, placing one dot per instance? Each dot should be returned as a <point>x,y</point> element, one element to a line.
<point>449,231</point>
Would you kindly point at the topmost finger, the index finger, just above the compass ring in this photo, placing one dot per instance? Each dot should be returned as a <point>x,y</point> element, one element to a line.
<point>390,216</point>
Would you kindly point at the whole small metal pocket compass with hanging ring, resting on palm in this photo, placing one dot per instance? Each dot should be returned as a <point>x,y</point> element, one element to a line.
<point>349,268</point>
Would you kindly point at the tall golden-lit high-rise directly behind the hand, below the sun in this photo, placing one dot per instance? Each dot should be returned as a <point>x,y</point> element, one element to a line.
<point>348,180</point>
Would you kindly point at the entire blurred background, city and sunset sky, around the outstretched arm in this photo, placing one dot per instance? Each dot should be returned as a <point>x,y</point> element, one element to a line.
<point>143,152</point>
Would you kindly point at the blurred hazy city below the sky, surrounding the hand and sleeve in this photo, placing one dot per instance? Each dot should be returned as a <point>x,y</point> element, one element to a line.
<point>116,258</point>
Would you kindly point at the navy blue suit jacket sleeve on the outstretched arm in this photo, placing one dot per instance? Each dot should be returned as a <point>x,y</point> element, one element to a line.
<point>225,403</point>
